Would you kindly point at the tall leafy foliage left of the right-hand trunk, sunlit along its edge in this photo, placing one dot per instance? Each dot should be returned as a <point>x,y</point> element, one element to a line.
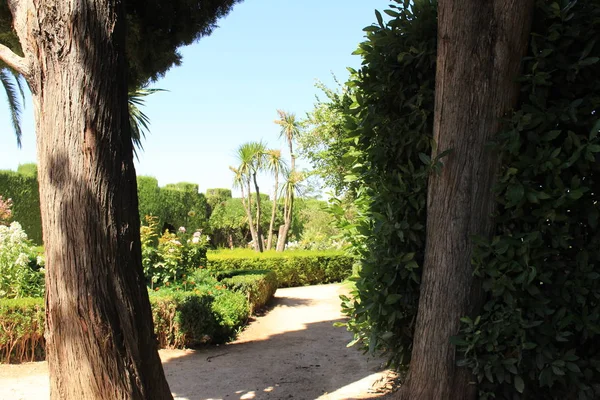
<point>389,126</point>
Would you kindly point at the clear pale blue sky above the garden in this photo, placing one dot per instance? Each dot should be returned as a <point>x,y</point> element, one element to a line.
<point>265,55</point>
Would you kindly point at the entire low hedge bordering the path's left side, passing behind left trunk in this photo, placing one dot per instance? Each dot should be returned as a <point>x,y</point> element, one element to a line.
<point>210,311</point>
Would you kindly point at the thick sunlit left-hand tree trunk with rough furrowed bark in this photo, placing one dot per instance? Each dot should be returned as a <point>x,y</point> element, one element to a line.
<point>100,340</point>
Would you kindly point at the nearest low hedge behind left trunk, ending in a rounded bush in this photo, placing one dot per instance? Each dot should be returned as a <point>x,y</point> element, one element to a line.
<point>181,319</point>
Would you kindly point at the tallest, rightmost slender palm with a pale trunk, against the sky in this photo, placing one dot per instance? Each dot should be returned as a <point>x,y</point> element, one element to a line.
<point>290,128</point>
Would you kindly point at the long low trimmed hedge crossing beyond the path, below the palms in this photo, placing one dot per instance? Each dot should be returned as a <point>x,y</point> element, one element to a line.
<point>292,268</point>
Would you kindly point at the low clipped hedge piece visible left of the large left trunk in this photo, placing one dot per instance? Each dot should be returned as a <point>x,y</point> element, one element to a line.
<point>22,333</point>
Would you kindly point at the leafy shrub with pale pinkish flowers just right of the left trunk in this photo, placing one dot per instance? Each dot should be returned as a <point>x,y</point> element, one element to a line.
<point>167,258</point>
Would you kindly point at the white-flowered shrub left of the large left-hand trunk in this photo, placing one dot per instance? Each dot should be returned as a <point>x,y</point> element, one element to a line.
<point>21,274</point>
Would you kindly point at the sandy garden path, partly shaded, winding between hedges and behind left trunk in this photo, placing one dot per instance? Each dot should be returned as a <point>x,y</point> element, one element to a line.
<point>292,352</point>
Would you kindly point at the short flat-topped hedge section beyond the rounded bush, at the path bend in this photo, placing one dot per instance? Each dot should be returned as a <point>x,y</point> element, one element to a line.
<point>258,286</point>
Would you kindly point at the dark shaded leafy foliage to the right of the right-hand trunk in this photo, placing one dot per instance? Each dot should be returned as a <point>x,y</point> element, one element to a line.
<point>538,334</point>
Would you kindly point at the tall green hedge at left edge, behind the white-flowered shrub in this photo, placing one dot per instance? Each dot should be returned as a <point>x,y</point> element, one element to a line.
<point>25,195</point>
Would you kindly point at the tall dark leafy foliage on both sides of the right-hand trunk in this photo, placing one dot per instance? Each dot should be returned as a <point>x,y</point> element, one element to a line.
<point>537,334</point>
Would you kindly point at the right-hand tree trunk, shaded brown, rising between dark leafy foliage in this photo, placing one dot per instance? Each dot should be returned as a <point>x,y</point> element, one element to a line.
<point>480,45</point>
